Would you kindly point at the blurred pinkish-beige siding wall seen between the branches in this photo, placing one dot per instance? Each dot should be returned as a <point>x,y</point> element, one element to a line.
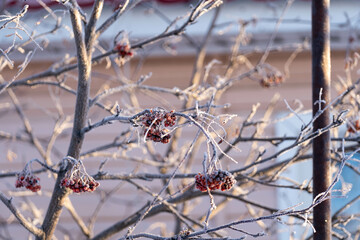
<point>166,72</point>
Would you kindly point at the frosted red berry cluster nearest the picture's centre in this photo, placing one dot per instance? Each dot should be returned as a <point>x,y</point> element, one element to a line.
<point>156,123</point>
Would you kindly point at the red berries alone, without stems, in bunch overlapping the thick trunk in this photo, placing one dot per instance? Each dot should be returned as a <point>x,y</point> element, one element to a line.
<point>78,184</point>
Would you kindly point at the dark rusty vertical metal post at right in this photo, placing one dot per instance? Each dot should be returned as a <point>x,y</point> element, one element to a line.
<point>321,144</point>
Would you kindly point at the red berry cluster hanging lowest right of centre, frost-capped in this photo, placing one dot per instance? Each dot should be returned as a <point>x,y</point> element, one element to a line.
<point>218,179</point>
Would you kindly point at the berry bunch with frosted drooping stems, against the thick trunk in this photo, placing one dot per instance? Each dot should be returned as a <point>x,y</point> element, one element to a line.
<point>77,179</point>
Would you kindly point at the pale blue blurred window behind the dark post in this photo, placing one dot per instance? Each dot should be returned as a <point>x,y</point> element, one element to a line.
<point>303,172</point>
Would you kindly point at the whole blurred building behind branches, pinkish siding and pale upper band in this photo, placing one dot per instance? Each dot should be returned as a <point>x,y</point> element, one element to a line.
<point>171,63</point>
